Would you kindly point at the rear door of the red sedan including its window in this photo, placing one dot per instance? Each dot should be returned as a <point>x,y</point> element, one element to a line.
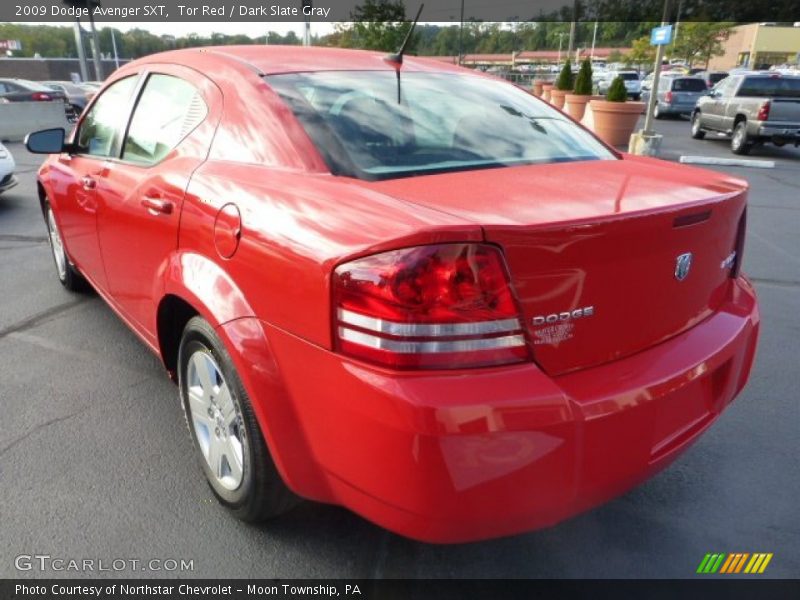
<point>141,193</point>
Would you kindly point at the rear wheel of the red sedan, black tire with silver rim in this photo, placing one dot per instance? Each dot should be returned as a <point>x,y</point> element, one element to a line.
<point>232,452</point>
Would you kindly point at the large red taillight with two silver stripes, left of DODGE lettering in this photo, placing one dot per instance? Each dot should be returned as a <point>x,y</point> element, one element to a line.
<point>430,307</point>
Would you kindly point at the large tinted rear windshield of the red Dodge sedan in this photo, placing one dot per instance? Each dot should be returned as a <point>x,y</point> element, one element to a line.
<point>441,123</point>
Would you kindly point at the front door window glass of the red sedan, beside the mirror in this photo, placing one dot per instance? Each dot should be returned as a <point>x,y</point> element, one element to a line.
<point>105,119</point>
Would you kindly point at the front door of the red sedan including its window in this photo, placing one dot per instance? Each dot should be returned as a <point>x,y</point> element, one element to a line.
<point>75,174</point>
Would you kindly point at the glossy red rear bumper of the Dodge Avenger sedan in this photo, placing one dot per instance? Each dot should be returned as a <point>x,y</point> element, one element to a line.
<point>458,456</point>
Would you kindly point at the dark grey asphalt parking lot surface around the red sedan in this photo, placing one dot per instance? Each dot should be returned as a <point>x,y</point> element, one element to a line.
<point>95,460</point>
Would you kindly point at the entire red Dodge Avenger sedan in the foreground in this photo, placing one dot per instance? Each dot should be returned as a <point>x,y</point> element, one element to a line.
<point>414,291</point>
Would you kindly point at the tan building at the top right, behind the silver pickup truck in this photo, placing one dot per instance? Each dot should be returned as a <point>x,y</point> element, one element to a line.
<point>759,46</point>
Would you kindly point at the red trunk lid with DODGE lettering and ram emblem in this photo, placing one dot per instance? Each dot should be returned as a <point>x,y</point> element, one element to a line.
<point>603,238</point>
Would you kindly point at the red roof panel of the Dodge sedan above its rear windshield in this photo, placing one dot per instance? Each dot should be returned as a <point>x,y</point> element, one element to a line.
<point>270,60</point>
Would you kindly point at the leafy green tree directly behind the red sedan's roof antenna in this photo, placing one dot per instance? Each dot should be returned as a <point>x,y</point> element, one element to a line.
<point>376,25</point>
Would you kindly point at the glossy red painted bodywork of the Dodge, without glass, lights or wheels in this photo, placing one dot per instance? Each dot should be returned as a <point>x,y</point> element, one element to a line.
<point>243,222</point>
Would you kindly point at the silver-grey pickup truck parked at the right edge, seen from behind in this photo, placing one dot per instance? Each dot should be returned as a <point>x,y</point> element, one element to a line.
<point>753,108</point>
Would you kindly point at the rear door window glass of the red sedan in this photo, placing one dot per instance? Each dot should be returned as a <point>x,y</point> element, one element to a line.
<point>168,110</point>
